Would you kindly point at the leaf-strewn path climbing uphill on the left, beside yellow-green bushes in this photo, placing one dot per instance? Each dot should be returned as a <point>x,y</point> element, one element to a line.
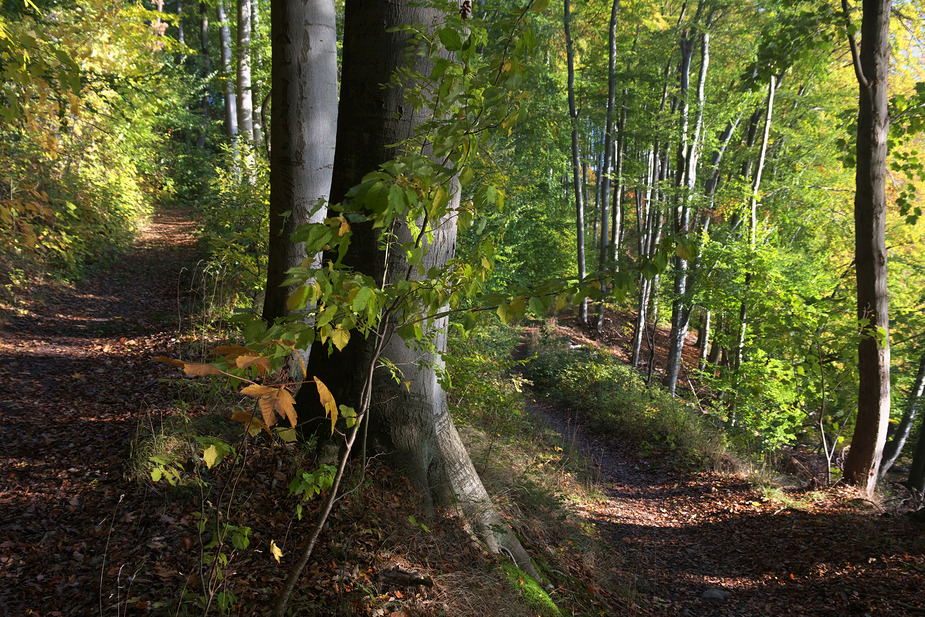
<point>75,377</point>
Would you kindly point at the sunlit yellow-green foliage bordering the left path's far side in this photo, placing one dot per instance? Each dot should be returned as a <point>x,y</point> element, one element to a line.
<point>80,135</point>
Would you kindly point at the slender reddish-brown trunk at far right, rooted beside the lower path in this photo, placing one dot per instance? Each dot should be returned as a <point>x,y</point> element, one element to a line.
<point>871,68</point>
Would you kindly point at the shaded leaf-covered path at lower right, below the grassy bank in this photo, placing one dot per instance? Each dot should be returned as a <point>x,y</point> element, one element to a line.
<point>707,544</point>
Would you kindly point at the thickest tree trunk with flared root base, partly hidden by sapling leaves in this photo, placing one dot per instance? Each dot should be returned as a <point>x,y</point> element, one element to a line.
<point>413,422</point>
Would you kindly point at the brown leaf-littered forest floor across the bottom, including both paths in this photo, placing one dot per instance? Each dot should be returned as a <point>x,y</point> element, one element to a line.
<point>81,535</point>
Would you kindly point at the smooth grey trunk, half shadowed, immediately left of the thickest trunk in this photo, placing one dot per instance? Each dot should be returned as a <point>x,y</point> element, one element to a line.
<point>304,74</point>
